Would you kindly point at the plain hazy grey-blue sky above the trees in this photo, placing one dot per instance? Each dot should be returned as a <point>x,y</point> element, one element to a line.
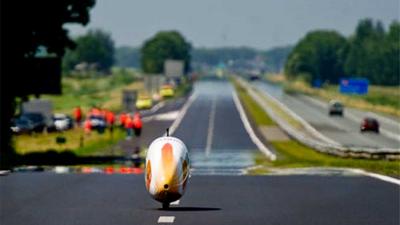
<point>260,24</point>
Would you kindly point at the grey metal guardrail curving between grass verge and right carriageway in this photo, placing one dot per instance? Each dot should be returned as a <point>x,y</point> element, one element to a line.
<point>317,141</point>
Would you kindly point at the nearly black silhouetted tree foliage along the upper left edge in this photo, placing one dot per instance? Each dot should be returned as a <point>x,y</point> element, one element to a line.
<point>32,43</point>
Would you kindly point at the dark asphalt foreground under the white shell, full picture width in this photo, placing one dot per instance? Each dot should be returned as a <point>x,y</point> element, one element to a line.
<point>45,198</point>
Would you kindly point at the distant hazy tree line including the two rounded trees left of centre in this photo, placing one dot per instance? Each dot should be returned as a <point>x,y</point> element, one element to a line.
<point>97,48</point>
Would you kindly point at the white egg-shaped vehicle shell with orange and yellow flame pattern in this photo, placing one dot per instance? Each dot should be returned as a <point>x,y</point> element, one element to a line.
<point>167,169</point>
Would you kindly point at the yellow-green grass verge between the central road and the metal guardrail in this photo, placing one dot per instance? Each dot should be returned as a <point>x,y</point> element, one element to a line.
<point>292,154</point>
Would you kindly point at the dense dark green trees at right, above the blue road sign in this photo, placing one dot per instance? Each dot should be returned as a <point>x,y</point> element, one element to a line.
<point>371,52</point>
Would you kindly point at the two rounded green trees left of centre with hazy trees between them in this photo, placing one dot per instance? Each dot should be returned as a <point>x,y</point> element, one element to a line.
<point>97,50</point>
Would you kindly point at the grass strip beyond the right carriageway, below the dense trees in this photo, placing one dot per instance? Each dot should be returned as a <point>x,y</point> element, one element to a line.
<point>380,99</point>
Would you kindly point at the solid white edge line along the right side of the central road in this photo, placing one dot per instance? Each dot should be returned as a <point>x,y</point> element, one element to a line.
<point>249,130</point>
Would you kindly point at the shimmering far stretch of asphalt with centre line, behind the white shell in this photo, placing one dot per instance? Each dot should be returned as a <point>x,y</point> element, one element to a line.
<point>214,133</point>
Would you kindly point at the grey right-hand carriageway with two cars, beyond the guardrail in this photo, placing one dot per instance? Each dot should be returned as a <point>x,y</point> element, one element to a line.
<point>344,130</point>
